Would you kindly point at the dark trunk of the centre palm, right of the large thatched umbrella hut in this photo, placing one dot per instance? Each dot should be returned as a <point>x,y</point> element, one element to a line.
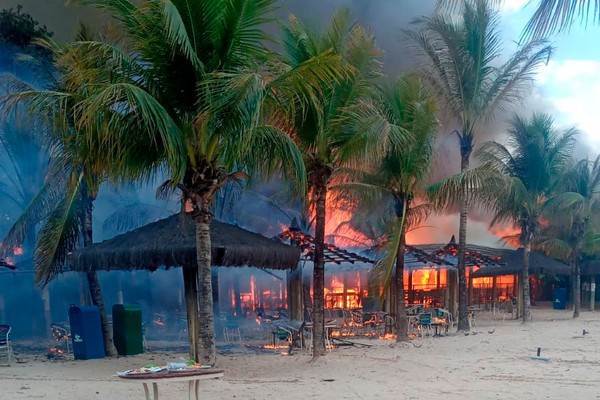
<point>318,315</point>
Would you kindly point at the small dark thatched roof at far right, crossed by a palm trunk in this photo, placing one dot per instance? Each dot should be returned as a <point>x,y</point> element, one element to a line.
<point>511,263</point>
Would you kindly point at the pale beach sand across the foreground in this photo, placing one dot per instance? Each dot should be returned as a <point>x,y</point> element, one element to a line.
<point>483,366</point>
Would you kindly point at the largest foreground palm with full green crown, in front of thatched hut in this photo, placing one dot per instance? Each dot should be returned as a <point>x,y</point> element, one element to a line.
<point>192,91</point>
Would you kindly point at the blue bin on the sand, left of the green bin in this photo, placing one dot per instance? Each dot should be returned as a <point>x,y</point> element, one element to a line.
<point>86,332</point>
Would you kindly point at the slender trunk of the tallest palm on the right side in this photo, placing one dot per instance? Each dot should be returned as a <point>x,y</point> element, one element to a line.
<point>463,319</point>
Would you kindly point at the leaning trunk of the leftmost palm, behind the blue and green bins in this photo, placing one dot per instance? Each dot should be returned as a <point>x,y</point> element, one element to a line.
<point>93,281</point>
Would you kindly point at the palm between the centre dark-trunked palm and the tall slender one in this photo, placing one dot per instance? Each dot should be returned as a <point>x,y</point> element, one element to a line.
<point>400,176</point>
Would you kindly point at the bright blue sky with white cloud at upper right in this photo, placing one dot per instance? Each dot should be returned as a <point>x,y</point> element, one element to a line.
<point>569,86</point>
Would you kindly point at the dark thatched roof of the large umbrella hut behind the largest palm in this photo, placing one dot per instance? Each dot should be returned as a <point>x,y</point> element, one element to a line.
<point>171,242</point>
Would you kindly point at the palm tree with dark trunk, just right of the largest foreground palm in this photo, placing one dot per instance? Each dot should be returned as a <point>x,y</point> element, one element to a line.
<point>342,127</point>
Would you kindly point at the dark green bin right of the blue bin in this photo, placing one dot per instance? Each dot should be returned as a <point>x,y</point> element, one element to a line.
<point>127,329</point>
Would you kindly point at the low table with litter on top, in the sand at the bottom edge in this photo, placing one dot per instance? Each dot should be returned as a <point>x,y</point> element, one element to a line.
<point>192,377</point>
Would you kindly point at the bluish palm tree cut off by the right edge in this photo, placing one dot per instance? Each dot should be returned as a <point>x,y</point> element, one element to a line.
<point>580,201</point>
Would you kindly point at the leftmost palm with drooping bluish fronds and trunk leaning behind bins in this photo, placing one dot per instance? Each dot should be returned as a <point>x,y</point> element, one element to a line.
<point>64,203</point>
